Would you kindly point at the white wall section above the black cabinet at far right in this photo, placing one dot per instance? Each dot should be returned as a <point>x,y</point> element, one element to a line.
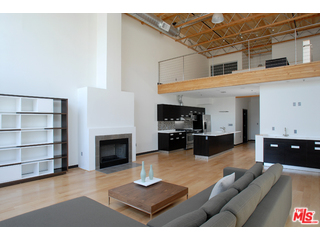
<point>277,110</point>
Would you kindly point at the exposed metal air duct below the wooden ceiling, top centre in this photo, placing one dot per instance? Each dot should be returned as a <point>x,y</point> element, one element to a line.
<point>157,23</point>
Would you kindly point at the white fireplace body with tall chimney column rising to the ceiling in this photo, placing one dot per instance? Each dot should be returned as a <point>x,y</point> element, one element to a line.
<point>105,110</point>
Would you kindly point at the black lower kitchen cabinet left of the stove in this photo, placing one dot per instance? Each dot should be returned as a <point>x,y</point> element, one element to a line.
<point>171,141</point>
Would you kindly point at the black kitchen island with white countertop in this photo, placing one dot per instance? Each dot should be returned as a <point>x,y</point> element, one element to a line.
<point>206,145</point>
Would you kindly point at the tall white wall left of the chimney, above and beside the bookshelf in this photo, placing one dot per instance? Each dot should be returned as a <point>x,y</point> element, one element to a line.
<point>50,55</point>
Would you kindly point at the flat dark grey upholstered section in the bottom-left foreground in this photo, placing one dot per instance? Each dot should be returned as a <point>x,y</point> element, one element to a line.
<point>78,212</point>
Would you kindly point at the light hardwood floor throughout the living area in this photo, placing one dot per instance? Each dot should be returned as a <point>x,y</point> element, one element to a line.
<point>178,167</point>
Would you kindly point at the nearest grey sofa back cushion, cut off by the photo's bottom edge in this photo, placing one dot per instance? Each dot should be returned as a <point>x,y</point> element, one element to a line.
<point>223,219</point>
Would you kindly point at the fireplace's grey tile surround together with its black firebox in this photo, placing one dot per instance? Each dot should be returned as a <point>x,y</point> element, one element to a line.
<point>113,150</point>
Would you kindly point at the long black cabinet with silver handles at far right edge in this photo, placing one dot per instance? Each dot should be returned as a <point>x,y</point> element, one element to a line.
<point>303,153</point>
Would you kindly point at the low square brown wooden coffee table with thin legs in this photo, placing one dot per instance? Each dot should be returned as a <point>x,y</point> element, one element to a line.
<point>149,199</point>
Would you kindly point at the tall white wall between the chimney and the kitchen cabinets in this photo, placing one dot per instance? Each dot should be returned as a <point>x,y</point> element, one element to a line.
<point>142,49</point>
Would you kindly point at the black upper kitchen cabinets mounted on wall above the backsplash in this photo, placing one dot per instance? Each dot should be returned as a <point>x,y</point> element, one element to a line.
<point>175,112</point>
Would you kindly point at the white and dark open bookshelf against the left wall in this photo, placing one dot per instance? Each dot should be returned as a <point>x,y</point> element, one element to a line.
<point>33,137</point>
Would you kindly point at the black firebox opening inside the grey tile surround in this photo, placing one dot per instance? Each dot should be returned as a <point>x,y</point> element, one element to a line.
<point>114,152</point>
